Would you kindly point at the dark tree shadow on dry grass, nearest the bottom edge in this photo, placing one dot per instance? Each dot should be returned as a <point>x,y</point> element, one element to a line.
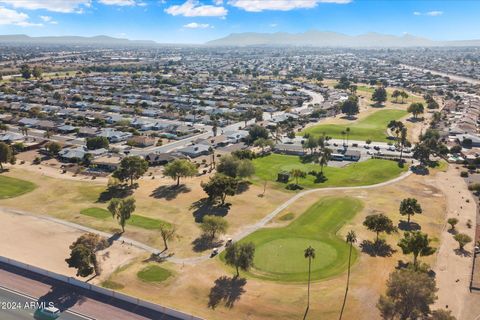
<point>226,289</point>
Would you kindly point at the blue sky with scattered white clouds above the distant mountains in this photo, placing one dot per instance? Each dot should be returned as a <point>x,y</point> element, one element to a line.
<point>197,21</point>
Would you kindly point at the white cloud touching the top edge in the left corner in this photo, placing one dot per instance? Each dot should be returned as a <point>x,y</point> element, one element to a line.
<point>64,6</point>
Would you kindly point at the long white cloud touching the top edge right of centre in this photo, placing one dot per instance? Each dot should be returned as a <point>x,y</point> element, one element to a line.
<point>280,5</point>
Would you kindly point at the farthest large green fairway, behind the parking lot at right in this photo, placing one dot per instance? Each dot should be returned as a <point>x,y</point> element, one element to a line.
<point>373,127</point>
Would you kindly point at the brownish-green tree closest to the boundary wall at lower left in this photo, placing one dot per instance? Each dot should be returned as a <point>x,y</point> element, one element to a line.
<point>83,254</point>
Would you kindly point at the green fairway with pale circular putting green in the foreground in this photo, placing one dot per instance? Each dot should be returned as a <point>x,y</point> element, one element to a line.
<point>279,253</point>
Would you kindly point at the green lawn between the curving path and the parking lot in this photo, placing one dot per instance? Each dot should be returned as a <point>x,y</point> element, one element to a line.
<point>368,172</point>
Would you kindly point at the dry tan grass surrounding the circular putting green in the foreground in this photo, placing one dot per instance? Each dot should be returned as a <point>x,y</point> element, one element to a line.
<point>199,284</point>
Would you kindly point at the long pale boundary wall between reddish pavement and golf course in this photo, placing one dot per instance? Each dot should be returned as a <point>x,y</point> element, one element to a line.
<point>99,290</point>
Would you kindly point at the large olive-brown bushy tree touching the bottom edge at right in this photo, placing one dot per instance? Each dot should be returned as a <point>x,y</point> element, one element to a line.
<point>409,295</point>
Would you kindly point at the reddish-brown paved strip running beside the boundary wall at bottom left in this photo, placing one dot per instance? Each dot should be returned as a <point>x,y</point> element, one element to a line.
<point>69,298</point>
